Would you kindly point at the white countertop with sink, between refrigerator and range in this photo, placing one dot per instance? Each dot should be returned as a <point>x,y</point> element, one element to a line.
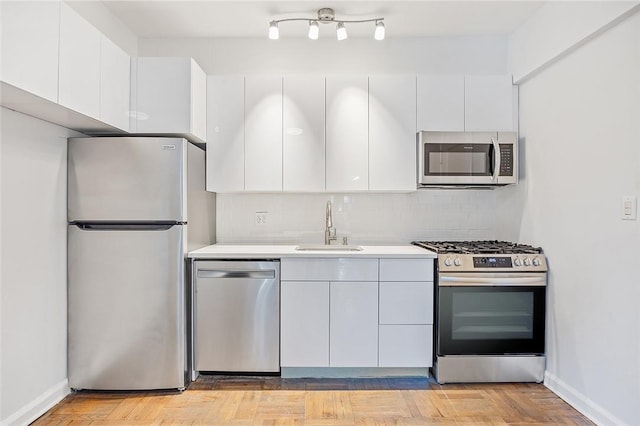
<point>241,251</point>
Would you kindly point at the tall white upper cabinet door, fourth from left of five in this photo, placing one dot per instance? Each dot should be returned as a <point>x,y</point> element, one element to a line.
<point>347,133</point>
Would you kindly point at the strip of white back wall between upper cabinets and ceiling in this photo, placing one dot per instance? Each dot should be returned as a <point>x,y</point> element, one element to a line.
<point>437,55</point>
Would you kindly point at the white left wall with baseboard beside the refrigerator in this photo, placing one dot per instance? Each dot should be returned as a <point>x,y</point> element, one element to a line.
<point>33,276</point>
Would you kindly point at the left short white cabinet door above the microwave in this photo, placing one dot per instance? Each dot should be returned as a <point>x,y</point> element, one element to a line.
<point>440,102</point>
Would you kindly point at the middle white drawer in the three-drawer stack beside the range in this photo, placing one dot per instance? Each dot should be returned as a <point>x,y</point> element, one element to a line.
<point>406,303</point>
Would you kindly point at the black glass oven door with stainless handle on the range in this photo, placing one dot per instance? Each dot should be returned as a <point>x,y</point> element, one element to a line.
<point>491,314</point>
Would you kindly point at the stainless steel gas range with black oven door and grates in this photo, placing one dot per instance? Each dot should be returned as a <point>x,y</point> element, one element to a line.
<point>489,311</point>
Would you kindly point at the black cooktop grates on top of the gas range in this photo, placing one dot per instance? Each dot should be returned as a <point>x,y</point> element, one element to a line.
<point>478,247</point>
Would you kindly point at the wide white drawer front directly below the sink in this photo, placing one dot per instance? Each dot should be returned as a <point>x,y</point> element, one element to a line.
<point>335,269</point>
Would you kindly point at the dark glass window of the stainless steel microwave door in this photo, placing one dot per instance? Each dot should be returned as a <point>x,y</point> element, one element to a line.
<point>457,159</point>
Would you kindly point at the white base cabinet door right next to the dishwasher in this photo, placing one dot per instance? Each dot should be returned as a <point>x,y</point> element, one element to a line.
<point>304,324</point>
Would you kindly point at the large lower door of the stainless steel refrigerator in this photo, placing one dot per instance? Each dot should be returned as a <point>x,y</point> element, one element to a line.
<point>126,309</point>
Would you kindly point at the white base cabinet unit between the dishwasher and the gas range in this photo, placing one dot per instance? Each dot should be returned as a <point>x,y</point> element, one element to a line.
<point>337,312</point>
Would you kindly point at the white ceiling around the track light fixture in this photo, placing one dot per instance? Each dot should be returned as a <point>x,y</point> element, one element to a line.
<point>206,19</point>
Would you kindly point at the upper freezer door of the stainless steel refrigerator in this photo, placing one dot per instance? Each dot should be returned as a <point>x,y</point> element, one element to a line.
<point>126,179</point>
